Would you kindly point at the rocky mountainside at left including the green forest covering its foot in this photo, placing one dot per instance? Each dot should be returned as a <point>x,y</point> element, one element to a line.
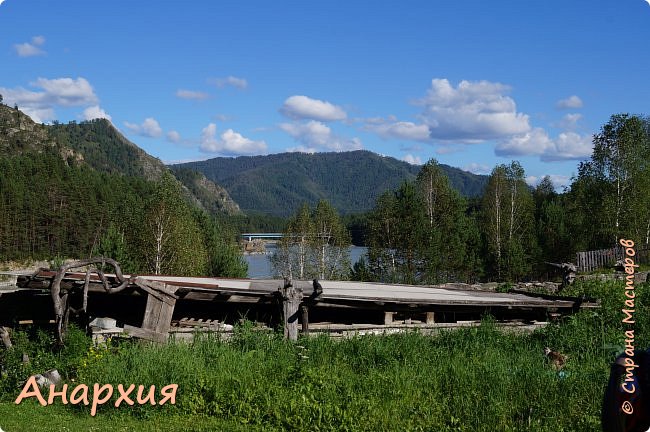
<point>82,190</point>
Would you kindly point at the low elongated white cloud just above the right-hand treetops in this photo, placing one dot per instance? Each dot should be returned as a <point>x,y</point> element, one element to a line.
<point>567,146</point>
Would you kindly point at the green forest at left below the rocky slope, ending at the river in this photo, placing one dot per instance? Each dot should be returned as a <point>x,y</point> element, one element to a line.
<point>49,208</point>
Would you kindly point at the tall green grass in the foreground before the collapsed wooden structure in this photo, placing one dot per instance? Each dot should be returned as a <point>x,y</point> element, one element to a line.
<point>476,379</point>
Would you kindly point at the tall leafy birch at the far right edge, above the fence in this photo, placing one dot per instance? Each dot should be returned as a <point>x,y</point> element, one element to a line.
<point>614,185</point>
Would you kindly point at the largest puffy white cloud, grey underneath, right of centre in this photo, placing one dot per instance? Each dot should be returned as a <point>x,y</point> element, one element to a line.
<point>473,111</point>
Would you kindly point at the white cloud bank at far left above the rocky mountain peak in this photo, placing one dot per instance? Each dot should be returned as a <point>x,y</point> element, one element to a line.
<point>39,105</point>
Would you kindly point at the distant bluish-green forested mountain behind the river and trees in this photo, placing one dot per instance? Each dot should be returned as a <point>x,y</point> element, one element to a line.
<point>351,181</point>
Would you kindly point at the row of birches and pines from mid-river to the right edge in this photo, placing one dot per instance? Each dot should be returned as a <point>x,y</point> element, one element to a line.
<point>425,232</point>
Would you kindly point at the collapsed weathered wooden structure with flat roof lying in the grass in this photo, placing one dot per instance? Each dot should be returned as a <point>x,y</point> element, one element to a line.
<point>148,306</point>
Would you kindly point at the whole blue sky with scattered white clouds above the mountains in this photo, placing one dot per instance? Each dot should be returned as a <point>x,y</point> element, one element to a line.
<point>470,83</point>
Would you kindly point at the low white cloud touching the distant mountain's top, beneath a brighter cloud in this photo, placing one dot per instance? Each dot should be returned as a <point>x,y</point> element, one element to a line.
<point>316,135</point>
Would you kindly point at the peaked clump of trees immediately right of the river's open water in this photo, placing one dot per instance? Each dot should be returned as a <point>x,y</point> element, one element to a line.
<point>421,233</point>
